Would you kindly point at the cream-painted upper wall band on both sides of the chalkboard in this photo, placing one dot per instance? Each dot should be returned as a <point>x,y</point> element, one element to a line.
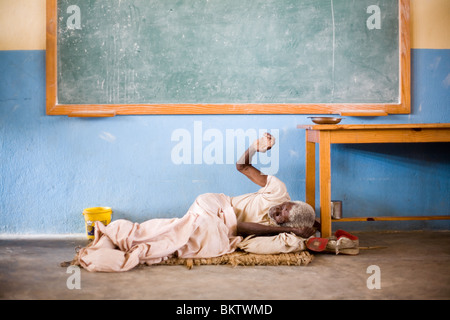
<point>22,24</point>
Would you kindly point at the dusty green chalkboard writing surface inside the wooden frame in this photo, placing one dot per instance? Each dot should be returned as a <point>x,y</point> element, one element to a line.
<point>119,52</point>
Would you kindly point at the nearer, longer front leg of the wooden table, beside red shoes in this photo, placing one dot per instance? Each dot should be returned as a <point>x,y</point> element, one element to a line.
<point>325,183</point>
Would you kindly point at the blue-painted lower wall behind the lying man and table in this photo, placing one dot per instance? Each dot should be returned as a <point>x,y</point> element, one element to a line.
<point>52,167</point>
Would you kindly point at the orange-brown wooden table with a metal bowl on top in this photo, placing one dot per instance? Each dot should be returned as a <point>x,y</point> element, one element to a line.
<point>325,135</point>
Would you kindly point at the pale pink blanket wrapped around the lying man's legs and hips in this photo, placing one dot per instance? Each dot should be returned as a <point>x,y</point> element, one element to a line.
<point>208,229</point>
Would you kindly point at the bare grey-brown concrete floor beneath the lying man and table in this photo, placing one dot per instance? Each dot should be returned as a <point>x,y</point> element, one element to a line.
<point>414,265</point>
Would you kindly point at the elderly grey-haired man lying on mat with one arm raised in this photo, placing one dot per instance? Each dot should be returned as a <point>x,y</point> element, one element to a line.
<point>213,225</point>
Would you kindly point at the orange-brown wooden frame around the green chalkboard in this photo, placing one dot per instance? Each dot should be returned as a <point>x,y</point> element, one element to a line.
<point>105,110</point>
